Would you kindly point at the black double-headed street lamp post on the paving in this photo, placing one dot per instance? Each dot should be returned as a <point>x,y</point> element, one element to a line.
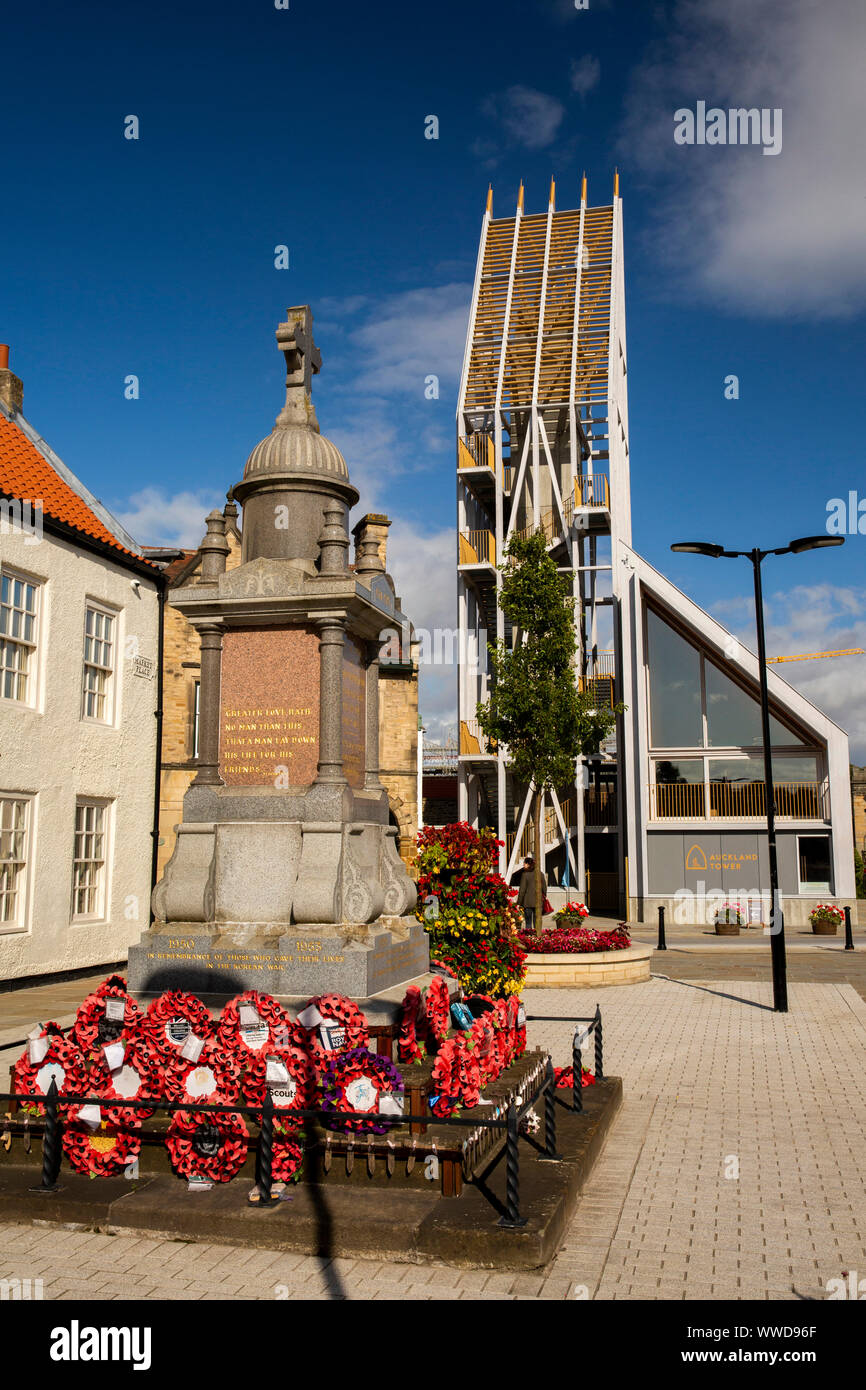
<point>778,922</point>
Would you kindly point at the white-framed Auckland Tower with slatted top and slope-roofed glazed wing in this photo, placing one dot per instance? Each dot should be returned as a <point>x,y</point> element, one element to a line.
<point>672,811</point>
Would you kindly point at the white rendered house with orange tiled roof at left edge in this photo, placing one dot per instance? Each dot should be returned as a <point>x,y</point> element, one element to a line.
<point>80,621</point>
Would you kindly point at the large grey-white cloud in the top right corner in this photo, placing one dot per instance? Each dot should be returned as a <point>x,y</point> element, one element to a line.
<point>782,236</point>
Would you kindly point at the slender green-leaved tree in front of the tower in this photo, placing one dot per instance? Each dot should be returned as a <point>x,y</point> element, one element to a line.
<point>536,708</point>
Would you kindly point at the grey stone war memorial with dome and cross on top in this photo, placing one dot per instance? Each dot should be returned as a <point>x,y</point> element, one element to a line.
<point>287,875</point>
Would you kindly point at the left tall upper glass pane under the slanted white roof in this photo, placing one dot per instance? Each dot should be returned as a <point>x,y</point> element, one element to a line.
<point>675,689</point>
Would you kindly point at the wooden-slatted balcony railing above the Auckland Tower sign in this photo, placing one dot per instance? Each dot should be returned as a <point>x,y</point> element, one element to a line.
<point>736,801</point>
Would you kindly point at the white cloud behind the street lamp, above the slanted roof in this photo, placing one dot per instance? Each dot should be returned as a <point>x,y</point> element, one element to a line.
<point>814,619</point>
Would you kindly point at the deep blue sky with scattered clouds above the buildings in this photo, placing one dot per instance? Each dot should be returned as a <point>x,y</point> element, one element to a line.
<point>263,127</point>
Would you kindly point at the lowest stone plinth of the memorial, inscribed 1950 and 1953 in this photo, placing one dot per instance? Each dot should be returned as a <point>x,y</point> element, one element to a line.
<point>358,960</point>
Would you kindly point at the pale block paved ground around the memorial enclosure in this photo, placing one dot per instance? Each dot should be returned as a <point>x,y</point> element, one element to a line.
<point>735,1170</point>
